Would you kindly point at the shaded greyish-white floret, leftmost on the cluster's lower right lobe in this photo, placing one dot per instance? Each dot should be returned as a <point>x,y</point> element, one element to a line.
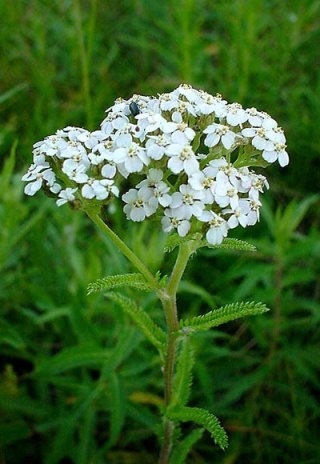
<point>138,206</point>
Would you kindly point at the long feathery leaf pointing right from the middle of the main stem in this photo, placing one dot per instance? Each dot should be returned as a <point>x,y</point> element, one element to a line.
<point>222,315</point>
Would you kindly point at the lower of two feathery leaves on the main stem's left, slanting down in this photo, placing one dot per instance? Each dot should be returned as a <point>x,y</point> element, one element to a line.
<point>151,330</point>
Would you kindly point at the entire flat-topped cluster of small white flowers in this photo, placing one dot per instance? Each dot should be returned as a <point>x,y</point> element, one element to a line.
<point>185,156</point>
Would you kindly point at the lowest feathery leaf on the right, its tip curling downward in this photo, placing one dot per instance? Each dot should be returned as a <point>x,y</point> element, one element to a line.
<point>203,418</point>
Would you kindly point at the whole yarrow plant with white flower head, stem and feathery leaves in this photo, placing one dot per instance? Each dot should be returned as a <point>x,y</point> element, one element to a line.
<point>183,160</point>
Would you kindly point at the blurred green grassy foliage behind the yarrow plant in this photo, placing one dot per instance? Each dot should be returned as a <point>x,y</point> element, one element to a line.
<point>78,382</point>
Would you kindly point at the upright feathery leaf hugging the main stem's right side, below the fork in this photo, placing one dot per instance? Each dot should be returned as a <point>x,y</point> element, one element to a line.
<point>183,376</point>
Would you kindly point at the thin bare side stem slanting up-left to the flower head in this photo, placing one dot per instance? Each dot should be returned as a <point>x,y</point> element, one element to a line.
<point>125,250</point>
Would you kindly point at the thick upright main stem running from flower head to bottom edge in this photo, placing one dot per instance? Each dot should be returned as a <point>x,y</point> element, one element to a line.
<point>169,303</point>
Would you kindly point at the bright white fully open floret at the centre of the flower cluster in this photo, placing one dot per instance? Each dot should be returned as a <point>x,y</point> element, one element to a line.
<point>182,158</point>
